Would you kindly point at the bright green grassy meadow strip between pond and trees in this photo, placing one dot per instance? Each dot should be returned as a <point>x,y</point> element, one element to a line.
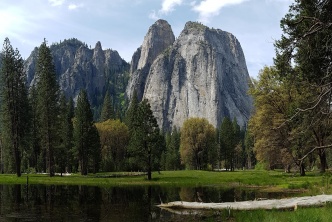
<point>267,180</point>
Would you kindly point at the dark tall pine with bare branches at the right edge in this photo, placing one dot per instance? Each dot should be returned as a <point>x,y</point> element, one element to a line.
<point>304,57</point>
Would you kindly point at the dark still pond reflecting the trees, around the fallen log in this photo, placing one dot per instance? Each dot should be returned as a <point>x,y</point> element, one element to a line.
<point>87,203</point>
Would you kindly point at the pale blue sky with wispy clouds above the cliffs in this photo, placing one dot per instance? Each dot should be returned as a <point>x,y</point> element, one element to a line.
<point>122,24</point>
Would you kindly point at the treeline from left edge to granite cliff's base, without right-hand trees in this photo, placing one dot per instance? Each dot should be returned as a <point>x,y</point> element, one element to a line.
<point>42,131</point>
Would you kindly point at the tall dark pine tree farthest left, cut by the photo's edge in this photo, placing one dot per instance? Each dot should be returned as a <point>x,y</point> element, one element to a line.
<point>14,104</point>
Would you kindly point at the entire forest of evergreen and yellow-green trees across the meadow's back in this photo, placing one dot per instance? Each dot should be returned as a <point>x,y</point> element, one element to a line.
<point>42,131</point>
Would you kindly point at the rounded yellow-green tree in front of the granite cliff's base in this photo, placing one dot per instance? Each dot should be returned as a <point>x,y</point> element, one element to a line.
<point>198,144</point>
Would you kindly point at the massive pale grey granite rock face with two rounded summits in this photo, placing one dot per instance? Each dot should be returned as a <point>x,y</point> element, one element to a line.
<point>201,74</point>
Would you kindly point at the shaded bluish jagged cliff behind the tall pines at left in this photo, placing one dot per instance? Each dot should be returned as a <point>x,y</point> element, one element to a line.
<point>79,67</point>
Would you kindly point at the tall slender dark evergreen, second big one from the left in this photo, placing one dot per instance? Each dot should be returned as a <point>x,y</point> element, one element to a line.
<point>48,110</point>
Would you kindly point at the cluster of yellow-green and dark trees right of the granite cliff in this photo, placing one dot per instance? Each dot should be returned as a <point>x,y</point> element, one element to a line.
<point>292,126</point>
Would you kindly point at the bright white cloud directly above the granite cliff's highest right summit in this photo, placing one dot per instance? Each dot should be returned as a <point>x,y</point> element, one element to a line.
<point>210,8</point>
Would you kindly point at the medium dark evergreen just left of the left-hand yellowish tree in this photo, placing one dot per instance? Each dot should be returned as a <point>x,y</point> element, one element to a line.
<point>85,140</point>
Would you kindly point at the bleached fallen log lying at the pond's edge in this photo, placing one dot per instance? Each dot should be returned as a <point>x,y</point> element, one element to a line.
<point>290,203</point>
